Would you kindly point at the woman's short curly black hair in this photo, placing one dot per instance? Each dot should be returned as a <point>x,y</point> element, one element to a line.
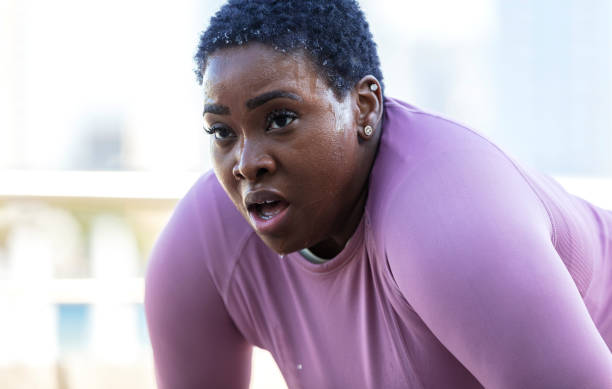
<point>333,33</point>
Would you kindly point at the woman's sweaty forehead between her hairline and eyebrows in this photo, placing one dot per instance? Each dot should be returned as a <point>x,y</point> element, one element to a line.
<point>256,68</point>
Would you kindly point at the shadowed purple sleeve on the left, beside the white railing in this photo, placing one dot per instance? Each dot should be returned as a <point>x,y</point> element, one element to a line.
<point>195,342</point>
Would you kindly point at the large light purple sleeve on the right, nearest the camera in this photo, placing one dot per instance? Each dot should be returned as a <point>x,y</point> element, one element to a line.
<point>469,247</point>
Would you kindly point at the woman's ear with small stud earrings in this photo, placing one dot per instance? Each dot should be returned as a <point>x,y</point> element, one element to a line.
<point>369,101</point>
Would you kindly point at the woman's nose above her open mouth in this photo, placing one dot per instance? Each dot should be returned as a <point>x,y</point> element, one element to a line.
<point>253,162</point>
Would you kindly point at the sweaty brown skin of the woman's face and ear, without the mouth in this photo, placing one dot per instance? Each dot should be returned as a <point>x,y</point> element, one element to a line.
<point>306,143</point>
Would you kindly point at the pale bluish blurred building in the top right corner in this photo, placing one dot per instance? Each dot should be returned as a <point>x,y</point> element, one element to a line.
<point>553,84</point>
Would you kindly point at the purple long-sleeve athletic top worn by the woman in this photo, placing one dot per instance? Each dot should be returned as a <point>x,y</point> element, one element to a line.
<point>466,270</point>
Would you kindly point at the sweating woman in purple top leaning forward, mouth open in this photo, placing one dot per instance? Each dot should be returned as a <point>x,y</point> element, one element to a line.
<point>363,242</point>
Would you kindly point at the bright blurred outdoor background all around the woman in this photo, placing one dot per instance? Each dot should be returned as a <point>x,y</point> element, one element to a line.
<point>100,135</point>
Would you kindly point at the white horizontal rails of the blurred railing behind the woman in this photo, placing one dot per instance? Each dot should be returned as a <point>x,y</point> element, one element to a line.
<point>147,190</point>
